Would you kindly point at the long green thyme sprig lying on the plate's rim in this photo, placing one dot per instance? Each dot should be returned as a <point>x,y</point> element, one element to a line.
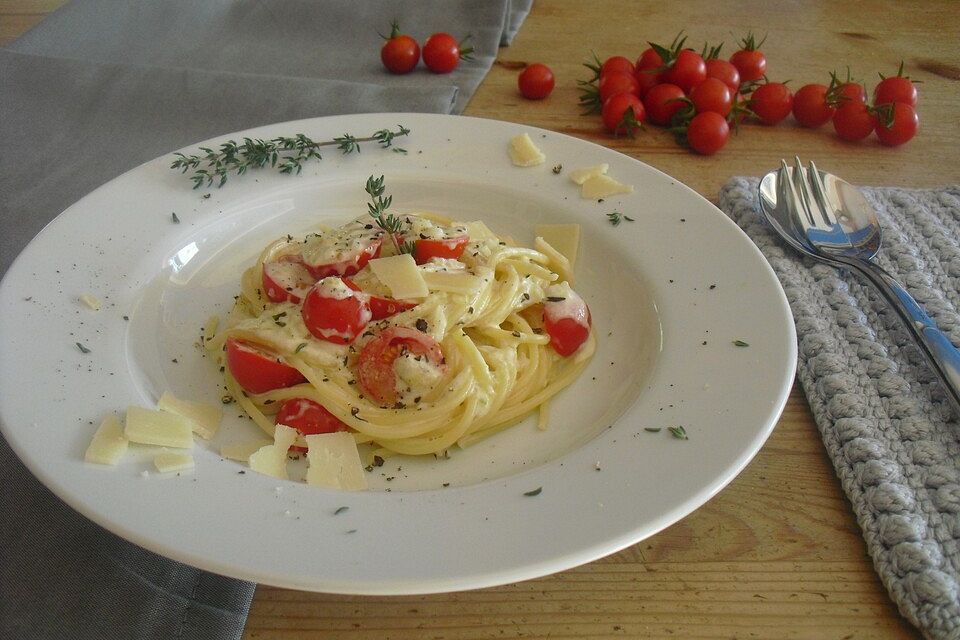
<point>284,153</point>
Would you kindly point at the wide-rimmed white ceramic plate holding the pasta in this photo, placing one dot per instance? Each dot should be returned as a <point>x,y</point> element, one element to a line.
<point>670,292</point>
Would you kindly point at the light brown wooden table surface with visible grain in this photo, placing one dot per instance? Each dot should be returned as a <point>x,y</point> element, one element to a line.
<point>778,552</point>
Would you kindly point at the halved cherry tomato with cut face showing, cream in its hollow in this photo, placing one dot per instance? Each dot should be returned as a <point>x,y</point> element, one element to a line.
<point>375,370</point>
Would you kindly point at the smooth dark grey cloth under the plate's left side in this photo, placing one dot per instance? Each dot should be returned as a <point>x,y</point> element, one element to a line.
<point>102,86</point>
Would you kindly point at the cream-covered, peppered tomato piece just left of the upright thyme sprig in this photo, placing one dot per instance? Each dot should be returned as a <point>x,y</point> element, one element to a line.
<point>342,252</point>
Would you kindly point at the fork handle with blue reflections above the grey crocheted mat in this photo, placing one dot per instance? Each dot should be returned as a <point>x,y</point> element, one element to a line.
<point>939,351</point>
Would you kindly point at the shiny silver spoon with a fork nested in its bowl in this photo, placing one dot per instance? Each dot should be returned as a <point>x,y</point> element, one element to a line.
<point>828,219</point>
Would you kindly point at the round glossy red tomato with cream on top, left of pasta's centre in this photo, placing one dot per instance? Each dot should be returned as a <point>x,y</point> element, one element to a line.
<point>334,312</point>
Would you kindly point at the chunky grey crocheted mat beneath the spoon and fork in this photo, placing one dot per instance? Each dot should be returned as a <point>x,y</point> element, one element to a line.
<point>885,421</point>
